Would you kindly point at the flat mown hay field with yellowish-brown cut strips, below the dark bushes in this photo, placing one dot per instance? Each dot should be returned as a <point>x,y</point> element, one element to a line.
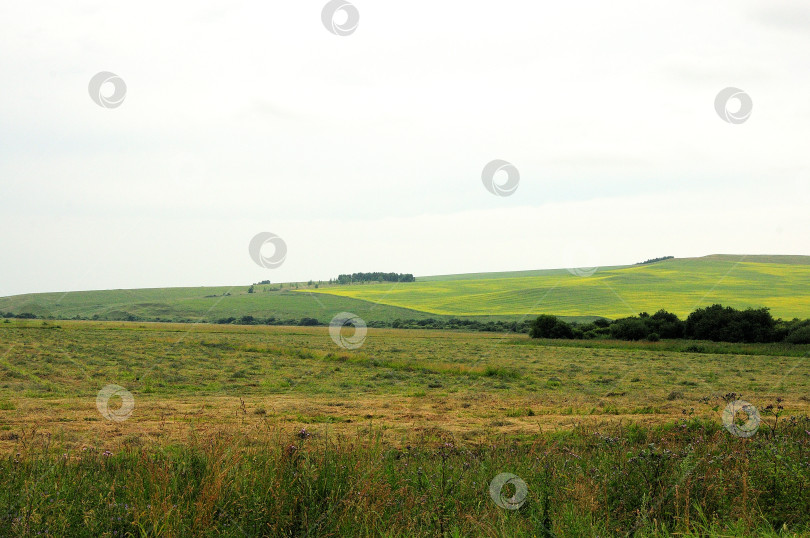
<point>470,385</point>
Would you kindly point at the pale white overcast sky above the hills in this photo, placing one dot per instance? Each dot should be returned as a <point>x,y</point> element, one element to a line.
<point>364,152</point>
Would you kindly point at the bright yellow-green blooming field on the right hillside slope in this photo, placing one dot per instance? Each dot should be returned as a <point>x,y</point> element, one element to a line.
<point>678,285</point>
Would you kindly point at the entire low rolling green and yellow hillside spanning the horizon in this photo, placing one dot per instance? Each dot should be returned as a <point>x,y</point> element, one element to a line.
<point>679,285</point>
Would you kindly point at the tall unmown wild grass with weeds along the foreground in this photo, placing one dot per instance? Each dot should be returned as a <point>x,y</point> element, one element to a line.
<point>685,478</point>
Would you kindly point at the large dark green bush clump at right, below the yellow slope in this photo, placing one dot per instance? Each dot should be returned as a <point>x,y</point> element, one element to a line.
<point>716,322</point>
